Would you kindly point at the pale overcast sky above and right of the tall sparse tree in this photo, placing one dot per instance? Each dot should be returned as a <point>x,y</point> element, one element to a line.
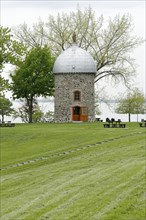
<point>17,12</point>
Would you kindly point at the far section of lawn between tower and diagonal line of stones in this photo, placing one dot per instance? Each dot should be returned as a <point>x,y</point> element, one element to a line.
<point>46,138</point>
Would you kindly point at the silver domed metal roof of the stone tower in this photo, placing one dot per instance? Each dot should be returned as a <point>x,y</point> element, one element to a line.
<point>74,60</point>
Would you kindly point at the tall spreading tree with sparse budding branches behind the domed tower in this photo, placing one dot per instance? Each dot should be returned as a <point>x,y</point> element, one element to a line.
<point>111,45</point>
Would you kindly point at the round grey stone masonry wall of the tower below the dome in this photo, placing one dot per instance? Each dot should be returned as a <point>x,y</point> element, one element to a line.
<point>65,86</point>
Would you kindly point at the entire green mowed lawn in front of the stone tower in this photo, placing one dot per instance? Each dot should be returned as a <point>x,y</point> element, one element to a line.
<point>73,172</point>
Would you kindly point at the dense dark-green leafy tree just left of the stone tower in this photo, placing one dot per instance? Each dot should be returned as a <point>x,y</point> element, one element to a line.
<point>34,78</point>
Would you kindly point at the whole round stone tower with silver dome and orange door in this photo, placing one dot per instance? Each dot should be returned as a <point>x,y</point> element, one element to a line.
<point>74,71</point>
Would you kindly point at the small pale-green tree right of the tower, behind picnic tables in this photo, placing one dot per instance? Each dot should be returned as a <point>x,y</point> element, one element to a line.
<point>133,103</point>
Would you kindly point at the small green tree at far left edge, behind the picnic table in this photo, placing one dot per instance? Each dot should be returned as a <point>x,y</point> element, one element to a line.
<point>5,107</point>
